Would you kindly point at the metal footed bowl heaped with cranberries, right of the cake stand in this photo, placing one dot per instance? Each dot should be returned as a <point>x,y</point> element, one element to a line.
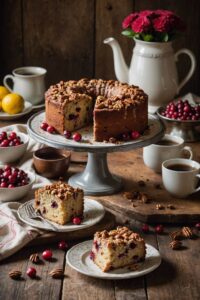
<point>182,119</point>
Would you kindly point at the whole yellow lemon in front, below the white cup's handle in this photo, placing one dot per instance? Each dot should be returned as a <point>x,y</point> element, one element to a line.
<point>13,103</point>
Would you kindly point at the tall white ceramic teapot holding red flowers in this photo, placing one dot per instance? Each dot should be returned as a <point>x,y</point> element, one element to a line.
<point>153,68</point>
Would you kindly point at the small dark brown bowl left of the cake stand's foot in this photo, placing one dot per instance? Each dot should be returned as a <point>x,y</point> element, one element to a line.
<point>50,162</point>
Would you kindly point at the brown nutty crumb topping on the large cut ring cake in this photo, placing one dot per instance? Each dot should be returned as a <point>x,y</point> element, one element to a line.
<point>108,94</point>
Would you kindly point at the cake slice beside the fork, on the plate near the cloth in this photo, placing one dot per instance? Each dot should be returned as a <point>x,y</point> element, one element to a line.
<point>59,202</point>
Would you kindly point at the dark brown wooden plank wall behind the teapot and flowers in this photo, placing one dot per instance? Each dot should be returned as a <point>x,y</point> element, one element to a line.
<point>66,36</point>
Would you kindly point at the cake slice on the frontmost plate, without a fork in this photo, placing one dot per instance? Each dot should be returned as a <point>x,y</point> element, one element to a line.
<point>117,248</point>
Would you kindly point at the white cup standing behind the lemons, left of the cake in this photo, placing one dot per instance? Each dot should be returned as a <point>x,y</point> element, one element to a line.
<point>28,82</point>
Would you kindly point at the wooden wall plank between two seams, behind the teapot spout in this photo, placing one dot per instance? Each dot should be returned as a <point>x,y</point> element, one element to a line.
<point>109,17</point>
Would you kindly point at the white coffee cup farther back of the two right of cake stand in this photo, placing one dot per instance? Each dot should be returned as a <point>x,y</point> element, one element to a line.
<point>168,147</point>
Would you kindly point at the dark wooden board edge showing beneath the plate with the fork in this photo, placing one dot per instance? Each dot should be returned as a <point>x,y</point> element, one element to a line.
<point>108,222</point>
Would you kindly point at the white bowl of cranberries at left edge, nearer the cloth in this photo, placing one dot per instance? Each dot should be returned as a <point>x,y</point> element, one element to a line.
<point>15,183</point>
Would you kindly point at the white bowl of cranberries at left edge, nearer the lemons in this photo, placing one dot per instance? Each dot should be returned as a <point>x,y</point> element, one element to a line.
<point>13,145</point>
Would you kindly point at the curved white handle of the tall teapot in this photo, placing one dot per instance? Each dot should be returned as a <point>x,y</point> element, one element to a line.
<point>192,68</point>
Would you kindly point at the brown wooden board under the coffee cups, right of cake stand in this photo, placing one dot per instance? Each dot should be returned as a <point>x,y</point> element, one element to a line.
<point>130,166</point>
